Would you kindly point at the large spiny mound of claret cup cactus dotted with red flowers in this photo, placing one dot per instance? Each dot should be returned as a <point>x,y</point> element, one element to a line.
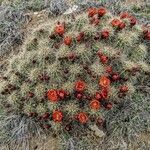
<point>73,69</point>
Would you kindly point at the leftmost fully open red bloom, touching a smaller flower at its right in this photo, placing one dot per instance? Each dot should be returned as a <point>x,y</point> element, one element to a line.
<point>52,95</point>
